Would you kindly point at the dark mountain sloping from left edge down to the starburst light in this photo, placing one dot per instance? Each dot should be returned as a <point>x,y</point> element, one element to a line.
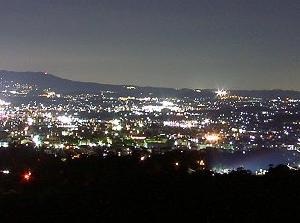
<point>43,81</point>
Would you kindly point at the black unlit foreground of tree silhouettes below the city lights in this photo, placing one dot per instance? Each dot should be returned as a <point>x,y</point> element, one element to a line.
<point>124,189</point>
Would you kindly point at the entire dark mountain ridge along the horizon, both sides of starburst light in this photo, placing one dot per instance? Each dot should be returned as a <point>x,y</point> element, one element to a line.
<point>43,81</point>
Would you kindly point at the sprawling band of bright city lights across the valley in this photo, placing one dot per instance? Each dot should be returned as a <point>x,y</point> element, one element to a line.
<point>89,123</point>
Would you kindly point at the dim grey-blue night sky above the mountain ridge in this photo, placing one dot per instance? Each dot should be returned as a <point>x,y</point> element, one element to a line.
<point>253,44</point>
